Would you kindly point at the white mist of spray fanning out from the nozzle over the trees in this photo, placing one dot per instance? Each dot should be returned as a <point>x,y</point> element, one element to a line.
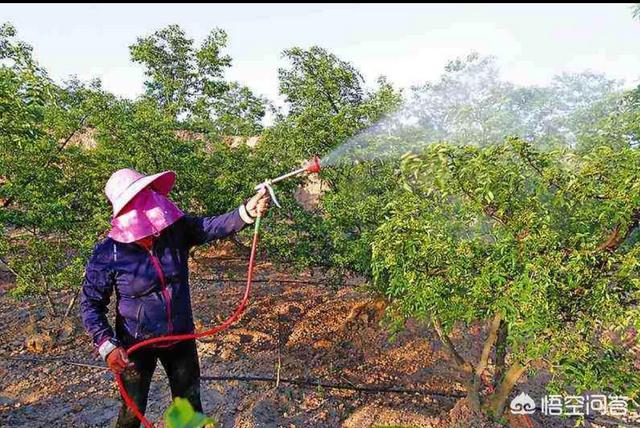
<point>471,105</point>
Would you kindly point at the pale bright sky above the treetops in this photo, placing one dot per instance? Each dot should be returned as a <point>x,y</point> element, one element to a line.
<point>408,43</point>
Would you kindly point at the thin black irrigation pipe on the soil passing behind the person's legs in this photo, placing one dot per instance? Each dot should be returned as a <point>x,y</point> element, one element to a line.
<point>271,379</point>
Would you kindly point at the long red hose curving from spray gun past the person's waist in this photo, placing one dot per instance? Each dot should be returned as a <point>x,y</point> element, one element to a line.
<point>180,337</point>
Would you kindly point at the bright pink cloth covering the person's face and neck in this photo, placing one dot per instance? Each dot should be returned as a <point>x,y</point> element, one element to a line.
<point>147,214</point>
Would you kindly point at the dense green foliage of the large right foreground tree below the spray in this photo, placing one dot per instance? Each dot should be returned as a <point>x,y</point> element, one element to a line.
<point>545,239</point>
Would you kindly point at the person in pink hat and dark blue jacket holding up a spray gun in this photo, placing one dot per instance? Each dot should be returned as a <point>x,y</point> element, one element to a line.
<point>144,260</point>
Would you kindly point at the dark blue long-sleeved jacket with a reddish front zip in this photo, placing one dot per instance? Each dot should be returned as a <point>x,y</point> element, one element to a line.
<point>152,287</point>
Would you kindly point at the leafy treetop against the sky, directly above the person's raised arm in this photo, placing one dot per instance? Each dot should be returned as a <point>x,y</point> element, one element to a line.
<point>188,82</point>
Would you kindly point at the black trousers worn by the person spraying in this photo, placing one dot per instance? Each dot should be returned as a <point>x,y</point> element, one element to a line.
<point>183,370</point>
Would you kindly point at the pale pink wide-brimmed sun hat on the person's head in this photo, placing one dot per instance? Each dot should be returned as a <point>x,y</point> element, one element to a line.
<point>125,184</point>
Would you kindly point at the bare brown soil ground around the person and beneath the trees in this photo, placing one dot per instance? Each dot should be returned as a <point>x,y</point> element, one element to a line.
<point>297,323</point>
